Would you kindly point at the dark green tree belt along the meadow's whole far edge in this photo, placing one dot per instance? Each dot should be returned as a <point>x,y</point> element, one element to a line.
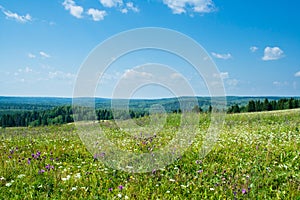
<point>64,114</point>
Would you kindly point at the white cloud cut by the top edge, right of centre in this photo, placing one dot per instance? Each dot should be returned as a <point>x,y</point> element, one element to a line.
<point>197,6</point>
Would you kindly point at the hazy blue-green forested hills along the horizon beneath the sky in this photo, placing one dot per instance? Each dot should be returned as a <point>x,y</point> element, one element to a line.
<point>16,104</point>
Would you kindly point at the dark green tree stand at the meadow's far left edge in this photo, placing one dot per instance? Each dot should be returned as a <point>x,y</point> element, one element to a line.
<point>63,115</point>
